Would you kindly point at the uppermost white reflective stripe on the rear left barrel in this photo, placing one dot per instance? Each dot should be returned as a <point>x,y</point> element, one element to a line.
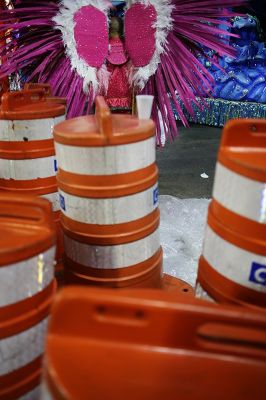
<point>28,130</point>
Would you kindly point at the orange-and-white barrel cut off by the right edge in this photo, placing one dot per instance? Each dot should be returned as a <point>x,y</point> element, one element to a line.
<point>232,267</point>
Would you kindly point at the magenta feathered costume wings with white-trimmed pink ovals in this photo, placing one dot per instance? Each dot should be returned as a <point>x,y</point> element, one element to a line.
<point>65,43</point>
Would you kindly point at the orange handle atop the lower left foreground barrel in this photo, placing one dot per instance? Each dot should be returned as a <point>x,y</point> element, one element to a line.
<point>30,210</point>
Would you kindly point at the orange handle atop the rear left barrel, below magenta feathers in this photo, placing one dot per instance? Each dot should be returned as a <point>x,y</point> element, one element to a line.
<point>13,100</point>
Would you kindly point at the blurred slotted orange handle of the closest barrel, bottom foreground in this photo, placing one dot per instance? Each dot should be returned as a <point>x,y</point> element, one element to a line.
<point>138,318</point>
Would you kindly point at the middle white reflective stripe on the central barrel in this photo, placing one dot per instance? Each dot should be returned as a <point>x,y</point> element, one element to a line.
<point>112,210</point>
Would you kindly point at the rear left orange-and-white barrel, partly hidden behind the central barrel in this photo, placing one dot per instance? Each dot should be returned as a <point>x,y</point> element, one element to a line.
<point>27,155</point>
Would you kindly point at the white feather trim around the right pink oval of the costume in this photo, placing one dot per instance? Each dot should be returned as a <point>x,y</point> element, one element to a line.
<point>163,25</point>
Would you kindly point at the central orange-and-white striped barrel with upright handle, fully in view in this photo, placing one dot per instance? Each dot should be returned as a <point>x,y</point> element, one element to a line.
<point>107,180</point>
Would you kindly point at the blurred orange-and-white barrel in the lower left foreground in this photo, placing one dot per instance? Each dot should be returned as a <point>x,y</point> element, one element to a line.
<point>27,287</point>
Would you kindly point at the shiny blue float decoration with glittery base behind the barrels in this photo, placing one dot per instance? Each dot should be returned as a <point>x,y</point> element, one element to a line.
<point>241,91</point>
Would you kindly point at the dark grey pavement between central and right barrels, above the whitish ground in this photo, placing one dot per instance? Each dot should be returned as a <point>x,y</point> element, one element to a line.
<point>182,162</point>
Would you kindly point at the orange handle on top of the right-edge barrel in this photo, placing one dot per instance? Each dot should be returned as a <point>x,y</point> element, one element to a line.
<point>244,133</point>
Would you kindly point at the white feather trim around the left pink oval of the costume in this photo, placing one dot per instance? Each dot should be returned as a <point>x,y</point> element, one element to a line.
<point>65,22</point>
